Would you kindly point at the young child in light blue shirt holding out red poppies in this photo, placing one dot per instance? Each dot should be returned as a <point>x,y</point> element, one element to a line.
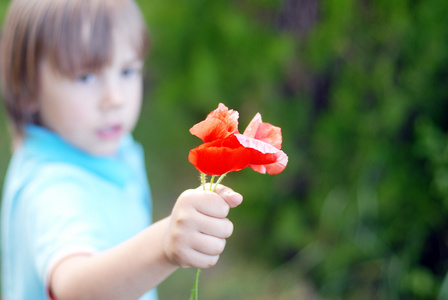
<point>76,205</point>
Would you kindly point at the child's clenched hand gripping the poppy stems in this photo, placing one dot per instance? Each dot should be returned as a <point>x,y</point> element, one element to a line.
<point>198,226</point>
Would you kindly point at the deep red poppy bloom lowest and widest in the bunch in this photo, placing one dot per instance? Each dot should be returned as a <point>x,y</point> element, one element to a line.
<point>227,155</point>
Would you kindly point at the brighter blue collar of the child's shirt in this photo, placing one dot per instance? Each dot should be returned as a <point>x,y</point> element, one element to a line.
<point>50,147</point>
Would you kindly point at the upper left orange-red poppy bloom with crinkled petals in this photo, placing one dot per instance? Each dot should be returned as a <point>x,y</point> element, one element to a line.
<point>219,124</point>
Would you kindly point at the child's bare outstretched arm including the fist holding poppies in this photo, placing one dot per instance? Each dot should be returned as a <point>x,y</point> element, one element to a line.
<point>193,235</point>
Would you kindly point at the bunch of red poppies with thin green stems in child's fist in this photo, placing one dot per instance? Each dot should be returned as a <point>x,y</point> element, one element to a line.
<point>226,150</point>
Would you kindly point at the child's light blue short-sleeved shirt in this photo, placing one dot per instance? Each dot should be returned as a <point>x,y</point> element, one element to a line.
<point>58,200</point>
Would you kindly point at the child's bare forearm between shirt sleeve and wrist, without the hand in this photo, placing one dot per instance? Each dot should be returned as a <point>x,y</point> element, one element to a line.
<point>123,272</point>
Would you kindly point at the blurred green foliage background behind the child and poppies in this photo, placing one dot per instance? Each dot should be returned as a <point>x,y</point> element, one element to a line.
<point>360,90</point>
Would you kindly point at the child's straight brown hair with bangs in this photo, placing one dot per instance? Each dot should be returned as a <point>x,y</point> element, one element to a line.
<point>73,35</point>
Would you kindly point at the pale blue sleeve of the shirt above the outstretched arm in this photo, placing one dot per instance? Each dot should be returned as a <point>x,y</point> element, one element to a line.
<point>60,222</point>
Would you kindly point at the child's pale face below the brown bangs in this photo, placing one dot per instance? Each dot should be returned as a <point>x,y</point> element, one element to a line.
<point>93,110</point>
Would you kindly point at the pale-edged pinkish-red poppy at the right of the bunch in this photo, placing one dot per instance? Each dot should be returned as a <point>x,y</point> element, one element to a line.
<point>266,138</point>
